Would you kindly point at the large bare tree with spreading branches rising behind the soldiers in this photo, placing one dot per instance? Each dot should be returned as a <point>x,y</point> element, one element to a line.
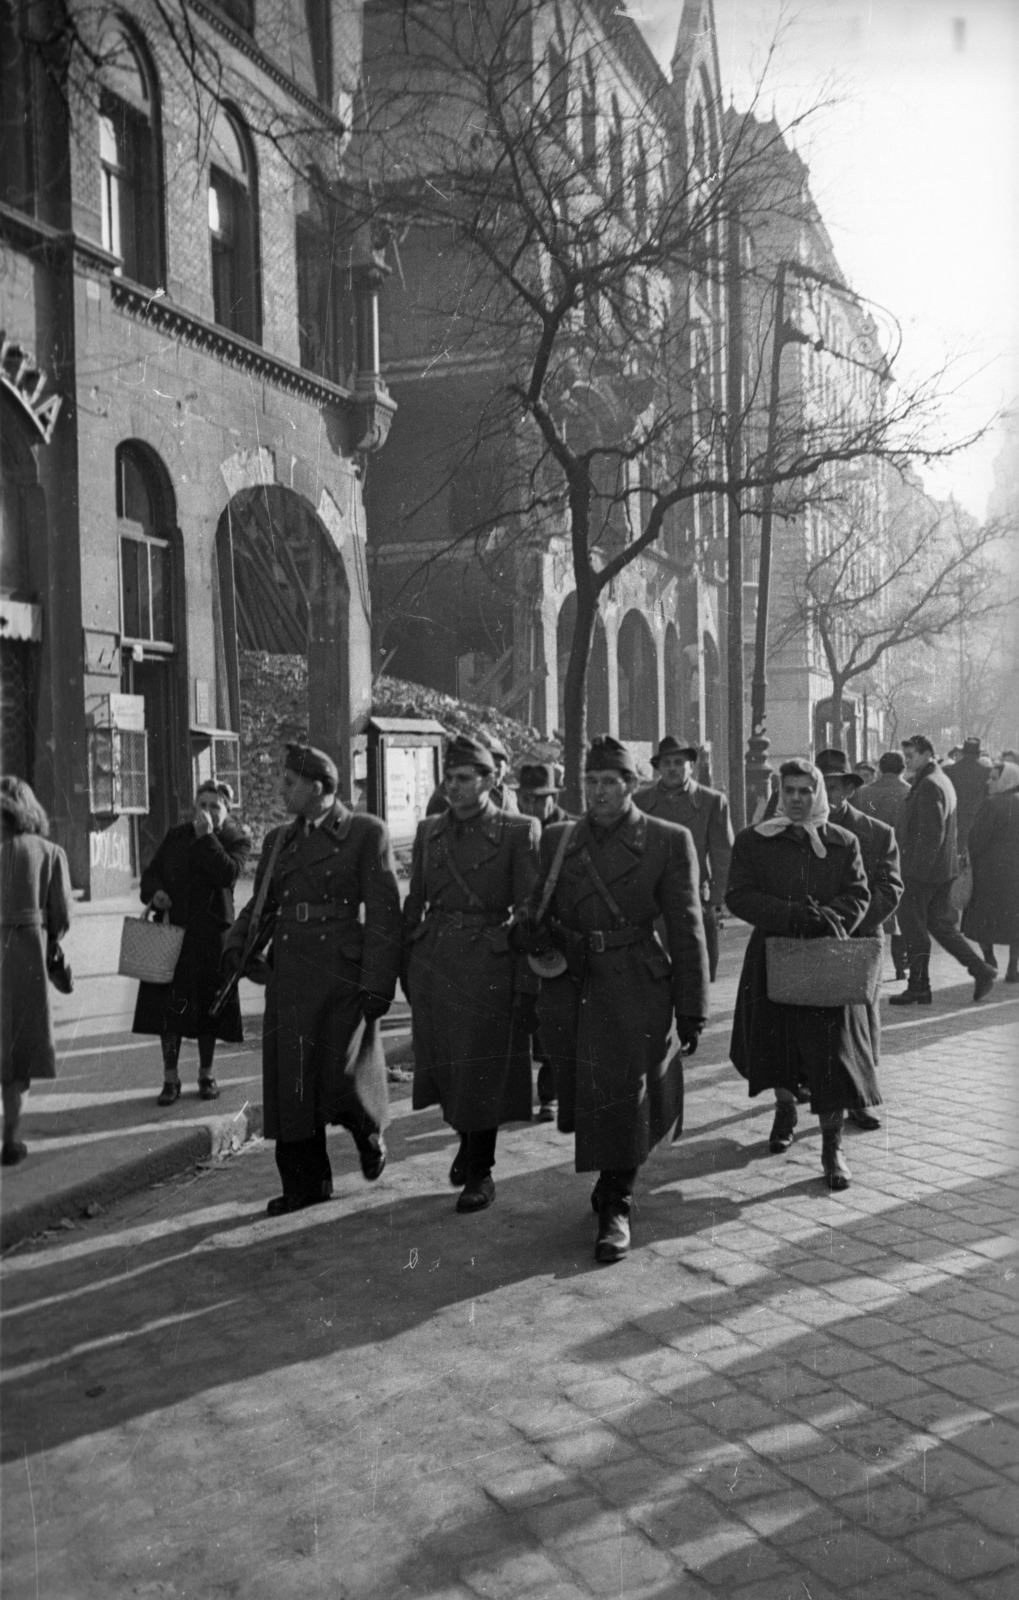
<point>585,231</point>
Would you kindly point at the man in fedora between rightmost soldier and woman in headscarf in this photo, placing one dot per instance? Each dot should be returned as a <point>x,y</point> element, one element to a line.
<point>679,798</point>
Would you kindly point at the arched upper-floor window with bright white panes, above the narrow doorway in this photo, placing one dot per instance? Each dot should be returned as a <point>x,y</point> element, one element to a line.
<point>130,159</point>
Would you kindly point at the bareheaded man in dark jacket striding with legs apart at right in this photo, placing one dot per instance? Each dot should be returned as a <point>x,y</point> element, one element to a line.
<point>929,844</point>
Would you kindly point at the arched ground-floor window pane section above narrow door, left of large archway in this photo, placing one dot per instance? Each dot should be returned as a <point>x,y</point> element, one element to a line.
<point>146,564</point>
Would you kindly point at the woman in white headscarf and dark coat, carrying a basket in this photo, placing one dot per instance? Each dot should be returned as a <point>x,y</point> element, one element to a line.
<point>783,873</point>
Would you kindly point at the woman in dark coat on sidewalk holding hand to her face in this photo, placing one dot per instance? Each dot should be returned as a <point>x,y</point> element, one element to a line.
<point>193,878</point>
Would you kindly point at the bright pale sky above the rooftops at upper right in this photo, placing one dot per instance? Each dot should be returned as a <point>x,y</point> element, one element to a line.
<point>914,162</point>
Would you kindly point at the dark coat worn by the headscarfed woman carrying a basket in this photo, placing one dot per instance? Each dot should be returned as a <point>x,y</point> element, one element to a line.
<point>780,1046</point>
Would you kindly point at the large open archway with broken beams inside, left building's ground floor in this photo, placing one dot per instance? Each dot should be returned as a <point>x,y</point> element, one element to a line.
<point>284,593</point>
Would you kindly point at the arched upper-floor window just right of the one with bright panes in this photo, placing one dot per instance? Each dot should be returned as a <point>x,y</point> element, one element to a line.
<point>233,217</point>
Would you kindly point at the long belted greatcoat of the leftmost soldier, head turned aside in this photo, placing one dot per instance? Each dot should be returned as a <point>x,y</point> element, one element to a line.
<point>322,956</point>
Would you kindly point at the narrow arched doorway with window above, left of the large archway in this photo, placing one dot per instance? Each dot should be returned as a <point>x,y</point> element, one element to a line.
<point>153,636</point>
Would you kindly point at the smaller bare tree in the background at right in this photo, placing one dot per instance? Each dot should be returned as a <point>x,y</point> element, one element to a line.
<point>937,574</point>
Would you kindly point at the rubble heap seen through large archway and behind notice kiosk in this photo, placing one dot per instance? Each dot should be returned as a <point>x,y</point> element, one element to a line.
<point>274,710</point>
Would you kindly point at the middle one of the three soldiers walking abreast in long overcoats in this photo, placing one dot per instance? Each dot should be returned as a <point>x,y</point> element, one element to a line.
<point>473,868</point>
